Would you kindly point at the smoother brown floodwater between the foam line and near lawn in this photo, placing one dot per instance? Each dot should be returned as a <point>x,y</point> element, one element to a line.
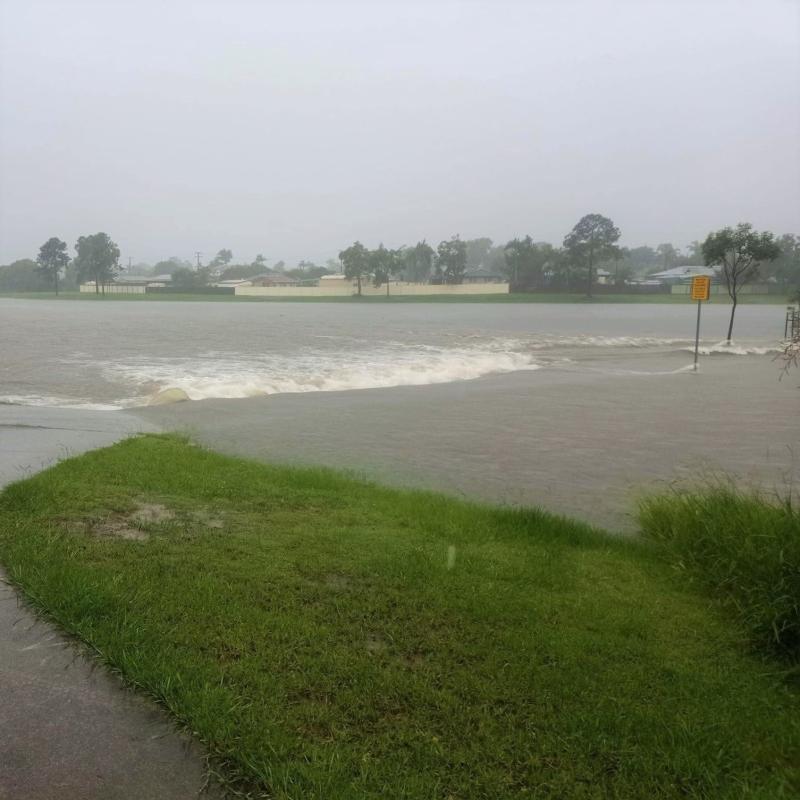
<point>584,442</point>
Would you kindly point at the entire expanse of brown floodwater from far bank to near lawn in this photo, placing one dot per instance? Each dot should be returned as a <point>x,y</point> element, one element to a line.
<point>577,409</point>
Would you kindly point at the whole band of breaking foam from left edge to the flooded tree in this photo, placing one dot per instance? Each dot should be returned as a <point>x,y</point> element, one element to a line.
<point>331,363</point>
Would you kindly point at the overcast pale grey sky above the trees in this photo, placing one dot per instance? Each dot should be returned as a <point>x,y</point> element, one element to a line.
<point>291,129</point>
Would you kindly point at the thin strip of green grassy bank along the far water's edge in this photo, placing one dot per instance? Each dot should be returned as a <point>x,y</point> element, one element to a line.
<point>527,297</point>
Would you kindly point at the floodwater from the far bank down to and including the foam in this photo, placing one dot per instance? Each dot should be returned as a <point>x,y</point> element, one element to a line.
<point>118,354</point>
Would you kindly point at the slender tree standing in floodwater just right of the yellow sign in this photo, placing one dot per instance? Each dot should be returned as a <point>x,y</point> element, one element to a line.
<point>739,252</point>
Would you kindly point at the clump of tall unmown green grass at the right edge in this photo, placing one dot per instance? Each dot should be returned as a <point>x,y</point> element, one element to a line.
<point>742,548</point>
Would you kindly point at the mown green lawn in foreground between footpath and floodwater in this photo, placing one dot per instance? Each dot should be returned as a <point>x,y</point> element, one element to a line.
<point>331,639</point>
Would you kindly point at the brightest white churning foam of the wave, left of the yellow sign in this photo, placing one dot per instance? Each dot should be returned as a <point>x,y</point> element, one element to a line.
<point>236,377</point>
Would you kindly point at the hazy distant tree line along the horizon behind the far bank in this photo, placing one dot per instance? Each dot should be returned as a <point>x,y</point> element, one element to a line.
<point>528,265</point>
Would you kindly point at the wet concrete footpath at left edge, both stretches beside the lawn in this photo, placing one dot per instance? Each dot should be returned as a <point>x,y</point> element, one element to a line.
<point>67,728</point>
